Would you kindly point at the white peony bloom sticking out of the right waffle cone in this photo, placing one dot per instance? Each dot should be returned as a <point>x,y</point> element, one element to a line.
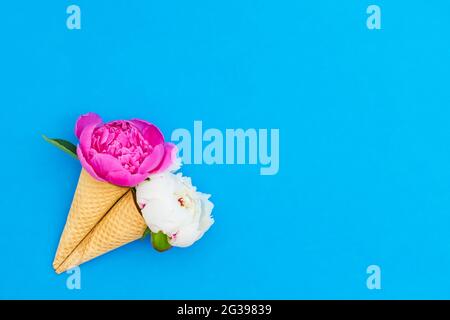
<point>169,203</point>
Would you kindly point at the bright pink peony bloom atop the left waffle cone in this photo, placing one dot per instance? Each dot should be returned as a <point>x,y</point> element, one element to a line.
<point>122,152</point>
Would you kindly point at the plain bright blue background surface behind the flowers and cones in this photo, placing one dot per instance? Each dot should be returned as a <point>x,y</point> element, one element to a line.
<point>364,128</point>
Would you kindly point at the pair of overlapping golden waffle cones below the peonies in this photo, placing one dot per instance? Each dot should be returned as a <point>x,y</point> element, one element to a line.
<point>102,218</point>
